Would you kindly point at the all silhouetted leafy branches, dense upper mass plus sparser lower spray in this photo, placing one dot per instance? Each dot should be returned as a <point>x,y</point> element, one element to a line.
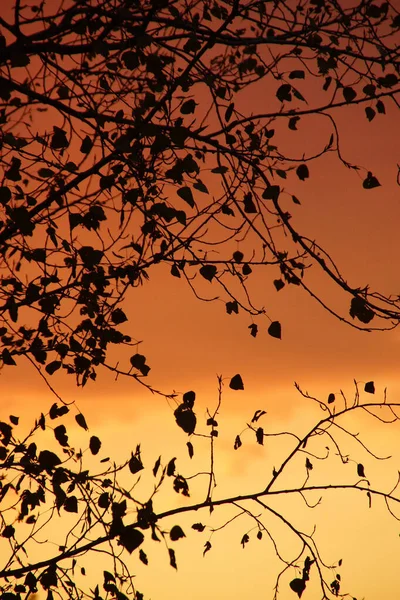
<point>132,136</point>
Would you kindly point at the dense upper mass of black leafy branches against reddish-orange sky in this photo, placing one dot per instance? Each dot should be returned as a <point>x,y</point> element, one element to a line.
<point>130,137</point>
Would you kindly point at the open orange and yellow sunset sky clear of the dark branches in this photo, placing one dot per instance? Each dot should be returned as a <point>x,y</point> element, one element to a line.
<point>188,343</point>
